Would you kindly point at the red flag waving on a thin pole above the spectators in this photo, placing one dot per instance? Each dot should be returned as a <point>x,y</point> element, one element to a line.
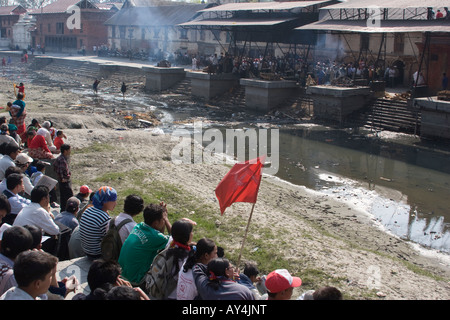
<point>240,184</point>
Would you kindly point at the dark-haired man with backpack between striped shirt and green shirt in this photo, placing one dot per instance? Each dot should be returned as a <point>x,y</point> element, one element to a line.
<point>120,227</point>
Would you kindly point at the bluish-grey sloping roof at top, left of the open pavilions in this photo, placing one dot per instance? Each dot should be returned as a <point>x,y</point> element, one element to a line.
<point>155,16</point>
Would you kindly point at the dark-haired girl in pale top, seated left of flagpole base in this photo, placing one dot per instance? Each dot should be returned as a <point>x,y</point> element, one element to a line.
<point>205,251</point>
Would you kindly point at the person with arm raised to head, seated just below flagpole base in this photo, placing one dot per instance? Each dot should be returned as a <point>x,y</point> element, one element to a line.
<point>216,282</point>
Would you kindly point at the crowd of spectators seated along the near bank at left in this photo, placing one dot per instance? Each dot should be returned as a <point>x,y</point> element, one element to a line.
<point>155,259</point>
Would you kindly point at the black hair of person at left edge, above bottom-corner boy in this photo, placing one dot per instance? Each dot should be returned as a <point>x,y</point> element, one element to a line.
<point>15,240</point>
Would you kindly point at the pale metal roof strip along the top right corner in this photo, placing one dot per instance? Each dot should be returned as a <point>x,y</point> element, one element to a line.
<point>400,4</point>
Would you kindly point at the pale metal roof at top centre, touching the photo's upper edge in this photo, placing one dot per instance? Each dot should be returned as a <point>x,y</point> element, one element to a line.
<point>245,6</point>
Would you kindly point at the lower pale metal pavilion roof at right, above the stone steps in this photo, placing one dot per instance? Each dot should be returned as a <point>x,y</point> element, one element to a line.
<point>388,26</point>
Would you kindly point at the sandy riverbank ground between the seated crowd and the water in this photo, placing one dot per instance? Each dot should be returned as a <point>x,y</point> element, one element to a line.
<point>311,229</point>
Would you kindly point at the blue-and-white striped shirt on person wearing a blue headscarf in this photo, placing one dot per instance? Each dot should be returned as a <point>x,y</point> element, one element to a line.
<point>93,224</point>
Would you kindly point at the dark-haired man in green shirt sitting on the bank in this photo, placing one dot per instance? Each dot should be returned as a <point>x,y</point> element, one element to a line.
<point>144,242</point>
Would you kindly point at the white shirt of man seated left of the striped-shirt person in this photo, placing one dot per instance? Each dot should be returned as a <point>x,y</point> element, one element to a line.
<point>34,214</point>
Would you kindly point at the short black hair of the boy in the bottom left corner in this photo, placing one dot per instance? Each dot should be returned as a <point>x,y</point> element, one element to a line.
<point>33,265</point>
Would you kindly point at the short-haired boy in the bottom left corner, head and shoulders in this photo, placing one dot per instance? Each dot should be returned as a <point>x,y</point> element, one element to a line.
<point>33,271</point>
